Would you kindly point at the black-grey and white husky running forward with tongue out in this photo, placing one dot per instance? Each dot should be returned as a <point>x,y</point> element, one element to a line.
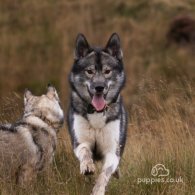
<point>97,119</point>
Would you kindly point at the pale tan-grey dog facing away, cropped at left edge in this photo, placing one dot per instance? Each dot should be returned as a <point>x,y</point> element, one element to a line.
<point>28,145</point>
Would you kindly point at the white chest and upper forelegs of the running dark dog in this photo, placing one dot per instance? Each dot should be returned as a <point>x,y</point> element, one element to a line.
<point>95,130</point>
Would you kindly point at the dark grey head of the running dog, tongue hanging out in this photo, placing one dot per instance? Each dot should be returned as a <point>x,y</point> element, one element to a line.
<point>97,74</point>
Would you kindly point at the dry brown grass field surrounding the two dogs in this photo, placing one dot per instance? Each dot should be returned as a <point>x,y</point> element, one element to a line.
<point>36,47</point>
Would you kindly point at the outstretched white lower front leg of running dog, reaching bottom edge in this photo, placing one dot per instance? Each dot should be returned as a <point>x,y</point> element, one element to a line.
<point>110,166</point>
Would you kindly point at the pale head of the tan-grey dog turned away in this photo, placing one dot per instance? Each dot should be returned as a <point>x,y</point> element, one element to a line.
<point>46,106</point>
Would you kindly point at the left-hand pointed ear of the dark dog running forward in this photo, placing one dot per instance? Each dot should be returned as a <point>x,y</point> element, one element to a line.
<point>82,46</point>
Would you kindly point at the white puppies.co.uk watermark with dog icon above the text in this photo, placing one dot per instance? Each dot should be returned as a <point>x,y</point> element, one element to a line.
<point>160,174</point>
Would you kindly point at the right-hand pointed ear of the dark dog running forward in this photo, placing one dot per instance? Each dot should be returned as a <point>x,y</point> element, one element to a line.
<point>113,46</point>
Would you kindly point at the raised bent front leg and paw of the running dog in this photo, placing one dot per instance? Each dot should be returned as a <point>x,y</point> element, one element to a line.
<point>84,154</point>
